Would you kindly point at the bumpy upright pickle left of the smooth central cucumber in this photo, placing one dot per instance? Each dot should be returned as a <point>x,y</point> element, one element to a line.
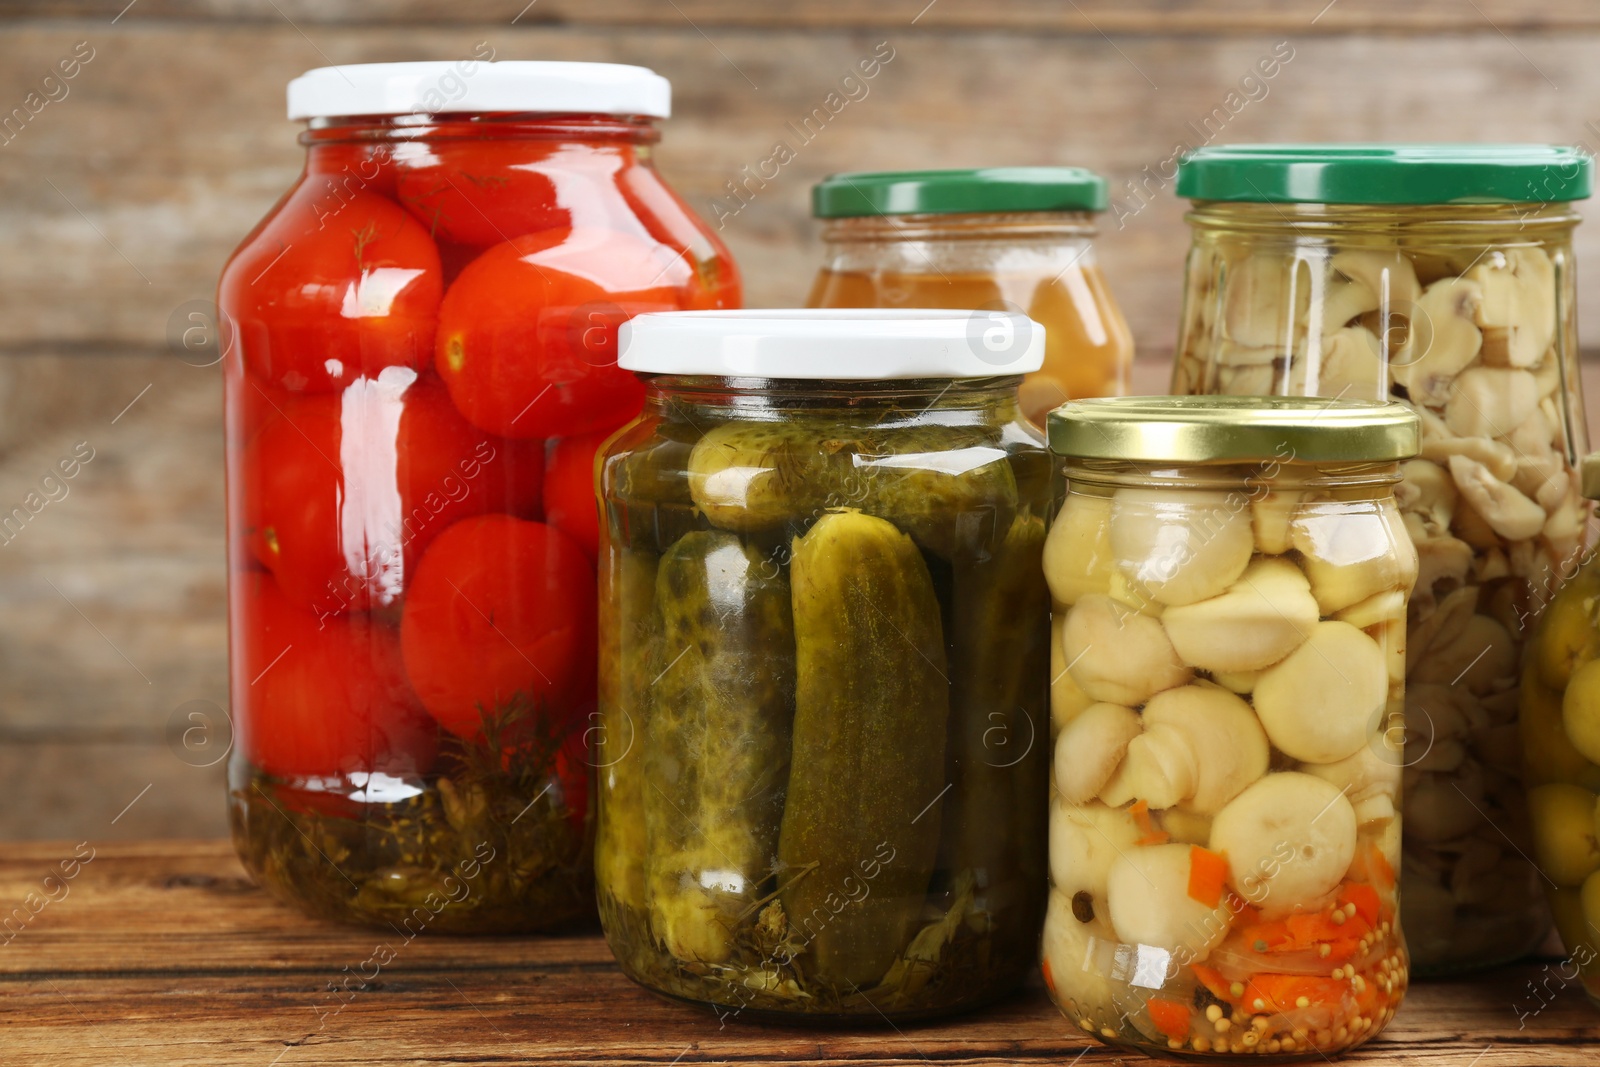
<point>718,740</point>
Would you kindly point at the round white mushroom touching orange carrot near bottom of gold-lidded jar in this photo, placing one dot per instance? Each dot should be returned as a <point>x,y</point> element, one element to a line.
<point>1148,897</point>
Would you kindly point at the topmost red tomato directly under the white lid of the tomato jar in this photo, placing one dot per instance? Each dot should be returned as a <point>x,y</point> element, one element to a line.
<point>482,193</point>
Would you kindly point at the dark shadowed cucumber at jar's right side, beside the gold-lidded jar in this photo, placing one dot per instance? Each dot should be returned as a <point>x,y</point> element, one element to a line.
<point>999,653</point>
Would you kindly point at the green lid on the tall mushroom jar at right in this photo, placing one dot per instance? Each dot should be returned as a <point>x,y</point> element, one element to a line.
<point>1386,174</point>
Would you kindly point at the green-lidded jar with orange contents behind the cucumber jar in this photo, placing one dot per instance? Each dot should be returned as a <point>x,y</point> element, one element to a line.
<point>1014,239</point>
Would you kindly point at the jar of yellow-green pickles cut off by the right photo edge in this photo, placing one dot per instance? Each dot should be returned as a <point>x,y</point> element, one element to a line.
<point>1561,756</point>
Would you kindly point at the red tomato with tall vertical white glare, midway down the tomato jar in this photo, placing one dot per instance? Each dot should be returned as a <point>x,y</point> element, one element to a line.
<point>346,490</point>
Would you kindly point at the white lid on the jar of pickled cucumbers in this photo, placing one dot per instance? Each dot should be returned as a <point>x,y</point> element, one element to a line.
<point>842,345</point>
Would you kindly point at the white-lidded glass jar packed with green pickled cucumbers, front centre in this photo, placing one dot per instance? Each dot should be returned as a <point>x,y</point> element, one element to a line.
<point>823,665</point>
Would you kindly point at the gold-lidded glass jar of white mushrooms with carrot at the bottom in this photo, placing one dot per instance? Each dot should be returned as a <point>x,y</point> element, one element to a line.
<point>1230,581</point>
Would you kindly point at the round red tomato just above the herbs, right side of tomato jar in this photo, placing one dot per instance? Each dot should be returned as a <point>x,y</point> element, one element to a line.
<point>502,615</point>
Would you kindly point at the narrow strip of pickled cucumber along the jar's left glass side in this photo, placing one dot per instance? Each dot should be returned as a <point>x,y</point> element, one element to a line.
<point>628,642</point>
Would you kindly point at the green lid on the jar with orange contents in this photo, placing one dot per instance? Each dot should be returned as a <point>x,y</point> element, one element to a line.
<point>959,193</point>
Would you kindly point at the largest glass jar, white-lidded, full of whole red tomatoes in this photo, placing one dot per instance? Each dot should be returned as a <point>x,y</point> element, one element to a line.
<point>423,364</point>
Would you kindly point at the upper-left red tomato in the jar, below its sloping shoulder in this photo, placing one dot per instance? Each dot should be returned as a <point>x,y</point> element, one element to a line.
<point>334,287</point>
